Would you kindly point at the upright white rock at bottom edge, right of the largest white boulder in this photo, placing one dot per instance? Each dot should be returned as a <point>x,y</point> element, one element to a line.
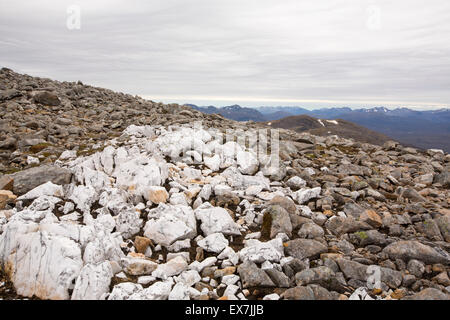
<point>93,282</point>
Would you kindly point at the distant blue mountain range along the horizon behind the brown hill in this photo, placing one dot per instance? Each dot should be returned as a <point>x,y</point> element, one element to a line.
<point>422,129</point>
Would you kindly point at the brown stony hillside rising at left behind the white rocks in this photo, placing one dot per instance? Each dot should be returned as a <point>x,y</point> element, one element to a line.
<point>40,118</point>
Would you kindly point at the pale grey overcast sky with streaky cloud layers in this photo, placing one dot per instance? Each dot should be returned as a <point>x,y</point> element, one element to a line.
<point>249,52</point>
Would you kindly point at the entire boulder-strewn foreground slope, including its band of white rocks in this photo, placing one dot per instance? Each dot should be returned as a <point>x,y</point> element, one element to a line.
<point>160,207</point>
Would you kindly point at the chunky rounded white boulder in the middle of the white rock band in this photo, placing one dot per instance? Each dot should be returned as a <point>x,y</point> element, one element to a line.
<point>169,223</point>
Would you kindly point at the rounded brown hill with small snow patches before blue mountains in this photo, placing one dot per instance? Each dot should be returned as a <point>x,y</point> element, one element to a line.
<point>342,128</point>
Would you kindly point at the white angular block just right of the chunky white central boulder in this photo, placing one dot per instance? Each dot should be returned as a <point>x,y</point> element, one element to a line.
<point>216,219</point>
